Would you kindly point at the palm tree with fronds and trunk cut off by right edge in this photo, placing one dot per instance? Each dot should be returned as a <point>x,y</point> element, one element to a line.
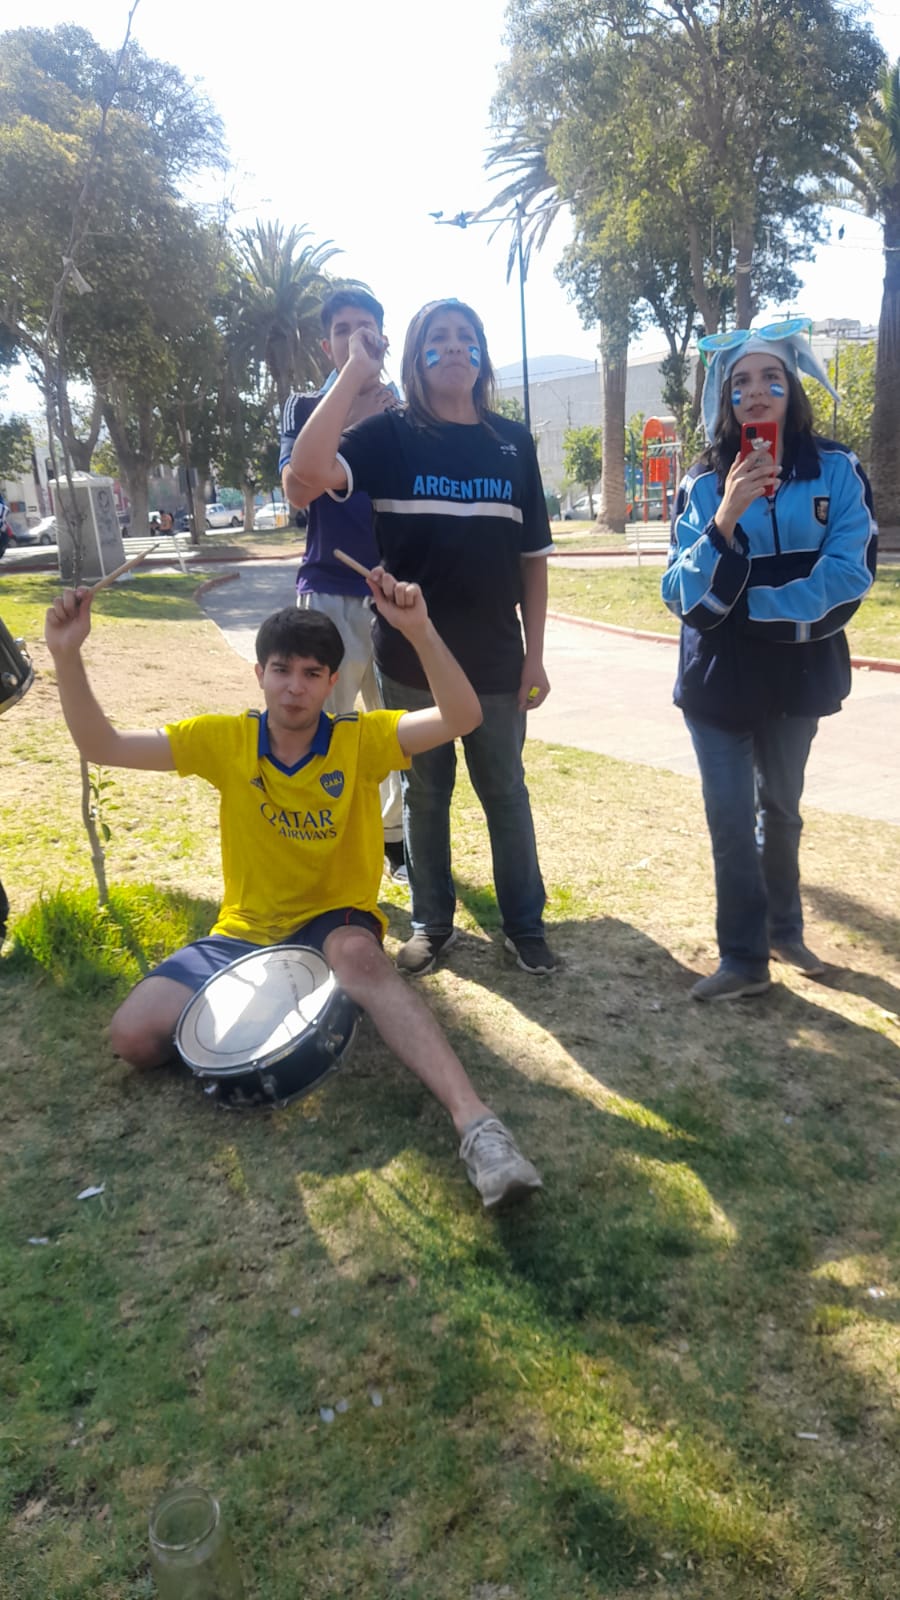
<point>870,183</point>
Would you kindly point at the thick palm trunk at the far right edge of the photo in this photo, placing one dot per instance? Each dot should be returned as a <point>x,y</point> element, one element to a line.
<point>886,412</point>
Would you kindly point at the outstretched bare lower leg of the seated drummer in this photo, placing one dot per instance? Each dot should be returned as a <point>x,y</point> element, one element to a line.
<point>404,1022</point>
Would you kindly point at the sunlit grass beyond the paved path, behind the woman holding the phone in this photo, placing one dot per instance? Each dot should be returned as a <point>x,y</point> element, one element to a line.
<point>630,598</point>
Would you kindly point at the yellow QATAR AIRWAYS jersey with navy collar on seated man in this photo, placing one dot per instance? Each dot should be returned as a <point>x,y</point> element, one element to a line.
<point>302,841</point>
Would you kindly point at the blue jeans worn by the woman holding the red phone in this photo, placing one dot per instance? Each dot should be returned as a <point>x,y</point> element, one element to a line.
<point>758,881</point>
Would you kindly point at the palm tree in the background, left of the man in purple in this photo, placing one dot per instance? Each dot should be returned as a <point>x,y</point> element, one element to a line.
<point>281,290</point>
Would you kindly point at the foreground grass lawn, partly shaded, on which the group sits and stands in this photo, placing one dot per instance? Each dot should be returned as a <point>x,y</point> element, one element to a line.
<point>675,1374</point>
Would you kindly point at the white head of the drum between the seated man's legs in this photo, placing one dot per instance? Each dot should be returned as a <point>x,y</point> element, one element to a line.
<point>255,1010</point>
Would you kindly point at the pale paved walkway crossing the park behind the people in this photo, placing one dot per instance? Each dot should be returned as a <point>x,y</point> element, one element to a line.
<point>614,695</point>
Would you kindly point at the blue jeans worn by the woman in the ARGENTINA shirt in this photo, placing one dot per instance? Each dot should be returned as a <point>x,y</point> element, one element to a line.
<point>494,756</point>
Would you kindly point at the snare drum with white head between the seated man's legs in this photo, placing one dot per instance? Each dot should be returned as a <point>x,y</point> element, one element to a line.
<point>268,1028</point>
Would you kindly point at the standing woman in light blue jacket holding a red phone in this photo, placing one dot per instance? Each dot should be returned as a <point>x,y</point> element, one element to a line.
<point>773,548</point>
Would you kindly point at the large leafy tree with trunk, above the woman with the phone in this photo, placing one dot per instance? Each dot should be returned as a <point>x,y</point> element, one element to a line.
<point>685,138</point>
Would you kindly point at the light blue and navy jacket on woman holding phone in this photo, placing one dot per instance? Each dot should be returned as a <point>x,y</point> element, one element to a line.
<point>763,617</point>
